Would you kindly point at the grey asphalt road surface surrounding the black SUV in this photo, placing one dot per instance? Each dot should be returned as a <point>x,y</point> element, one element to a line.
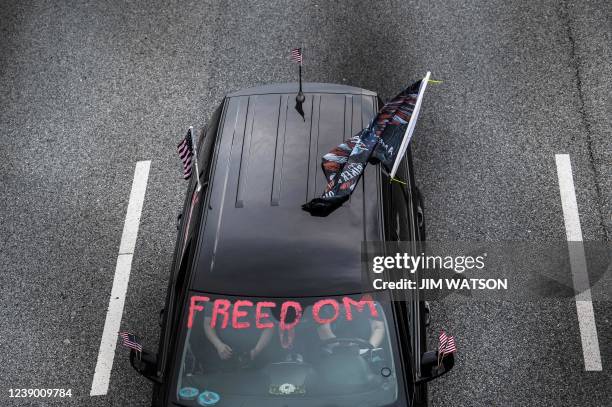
<point>89,88</point>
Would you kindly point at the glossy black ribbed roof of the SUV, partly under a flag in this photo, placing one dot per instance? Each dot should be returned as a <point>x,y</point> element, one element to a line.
<point>257,241</point>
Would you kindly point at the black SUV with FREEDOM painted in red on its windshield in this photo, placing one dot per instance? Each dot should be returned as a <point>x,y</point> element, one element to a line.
<point>265,305</point>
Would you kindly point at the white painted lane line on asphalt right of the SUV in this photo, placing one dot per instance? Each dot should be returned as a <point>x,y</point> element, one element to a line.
<point>573,231</point>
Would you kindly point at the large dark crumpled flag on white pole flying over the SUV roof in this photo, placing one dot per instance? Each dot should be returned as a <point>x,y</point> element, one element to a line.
<point>380,142</point>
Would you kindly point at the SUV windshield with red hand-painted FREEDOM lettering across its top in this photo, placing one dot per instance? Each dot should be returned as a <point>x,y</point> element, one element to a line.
<point>333,351</point>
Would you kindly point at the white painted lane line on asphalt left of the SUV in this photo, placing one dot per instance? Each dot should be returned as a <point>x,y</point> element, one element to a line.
<point>106,354</point>
